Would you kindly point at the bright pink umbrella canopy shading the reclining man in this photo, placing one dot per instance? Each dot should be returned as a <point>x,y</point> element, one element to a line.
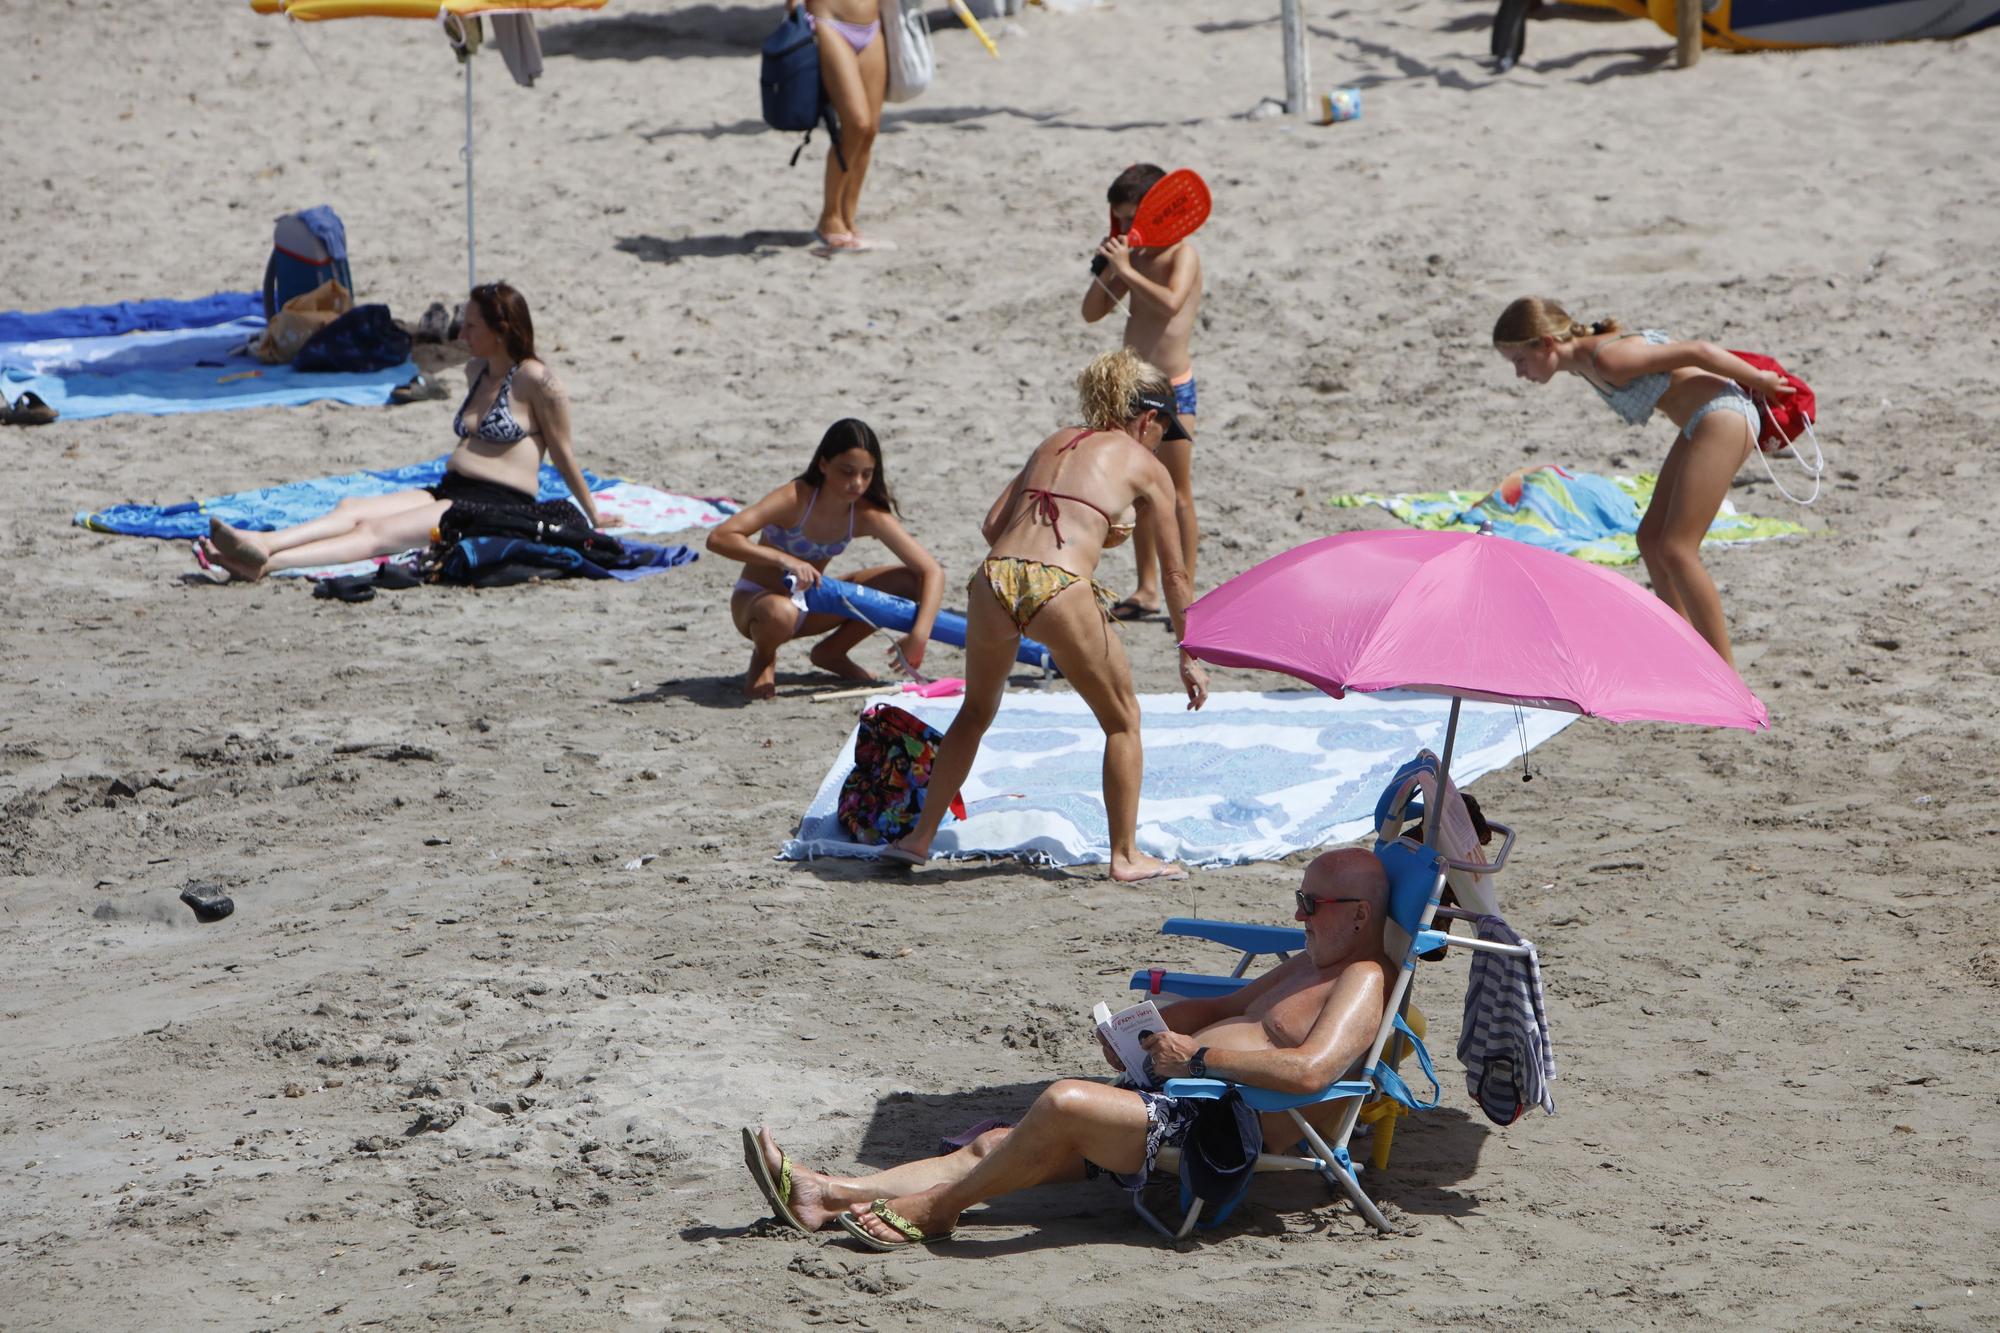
<point>1473,617</point>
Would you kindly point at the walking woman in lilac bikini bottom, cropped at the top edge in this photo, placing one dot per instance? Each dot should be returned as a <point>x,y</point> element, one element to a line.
<point>855,71</point>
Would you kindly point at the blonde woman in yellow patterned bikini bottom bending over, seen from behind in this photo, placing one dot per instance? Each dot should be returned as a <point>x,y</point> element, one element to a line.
<point>1047,543</point>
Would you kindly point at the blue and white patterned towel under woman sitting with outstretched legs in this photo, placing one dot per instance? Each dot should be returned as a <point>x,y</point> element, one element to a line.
<point>627,509</point>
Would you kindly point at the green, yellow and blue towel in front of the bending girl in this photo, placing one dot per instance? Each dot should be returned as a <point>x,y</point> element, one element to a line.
<point>1577,513</point>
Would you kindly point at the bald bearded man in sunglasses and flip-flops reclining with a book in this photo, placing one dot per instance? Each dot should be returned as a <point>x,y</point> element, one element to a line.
<point>1295,1030</point>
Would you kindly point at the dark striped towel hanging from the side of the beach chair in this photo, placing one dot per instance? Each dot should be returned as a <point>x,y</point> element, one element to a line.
<point>1503,1040</point>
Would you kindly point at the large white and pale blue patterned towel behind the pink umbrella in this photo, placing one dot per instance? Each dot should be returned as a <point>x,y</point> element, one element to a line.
<point>1251,778</point>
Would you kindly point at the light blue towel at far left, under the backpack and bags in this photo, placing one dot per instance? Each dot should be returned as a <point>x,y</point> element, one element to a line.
<point>177,371</point>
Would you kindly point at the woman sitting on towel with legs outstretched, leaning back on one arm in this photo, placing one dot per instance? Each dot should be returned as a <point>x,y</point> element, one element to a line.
<point>515,415</point>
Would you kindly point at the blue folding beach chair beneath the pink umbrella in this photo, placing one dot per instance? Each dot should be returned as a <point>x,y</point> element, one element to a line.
<point>1375,1092</point>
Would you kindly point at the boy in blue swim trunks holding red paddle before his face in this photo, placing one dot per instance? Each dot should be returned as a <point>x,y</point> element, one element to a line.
<point>1165,283</point>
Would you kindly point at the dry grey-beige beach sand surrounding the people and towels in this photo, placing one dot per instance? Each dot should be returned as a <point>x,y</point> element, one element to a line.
<point>453,1064</point>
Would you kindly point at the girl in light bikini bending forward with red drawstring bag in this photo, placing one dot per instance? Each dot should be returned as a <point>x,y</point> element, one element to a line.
<point>1701,389</point>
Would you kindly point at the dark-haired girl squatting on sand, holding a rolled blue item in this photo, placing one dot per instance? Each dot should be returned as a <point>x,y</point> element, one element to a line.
<point>803,525</point>
